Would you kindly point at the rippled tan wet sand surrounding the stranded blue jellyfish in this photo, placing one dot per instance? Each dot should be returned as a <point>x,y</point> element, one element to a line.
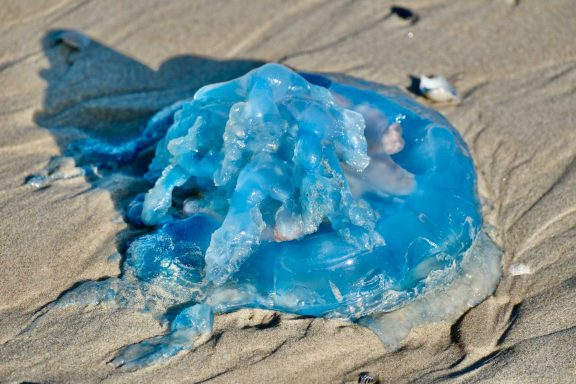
<point>514,63</point>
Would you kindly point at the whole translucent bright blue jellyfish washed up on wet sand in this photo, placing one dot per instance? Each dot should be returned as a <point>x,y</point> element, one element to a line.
<point>318,195</point>
